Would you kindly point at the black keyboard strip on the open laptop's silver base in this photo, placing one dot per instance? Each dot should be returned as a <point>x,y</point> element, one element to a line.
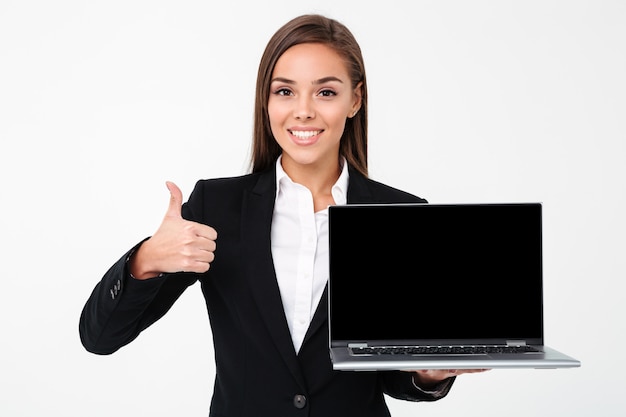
<point>441,350</point>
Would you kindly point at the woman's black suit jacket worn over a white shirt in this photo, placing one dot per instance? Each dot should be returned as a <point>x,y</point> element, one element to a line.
<point>257,370</point>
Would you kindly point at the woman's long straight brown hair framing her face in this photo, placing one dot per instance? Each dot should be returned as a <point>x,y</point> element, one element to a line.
<point>310,28</point>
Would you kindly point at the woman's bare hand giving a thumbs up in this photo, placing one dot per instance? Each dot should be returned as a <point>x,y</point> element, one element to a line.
<point>178,244</point>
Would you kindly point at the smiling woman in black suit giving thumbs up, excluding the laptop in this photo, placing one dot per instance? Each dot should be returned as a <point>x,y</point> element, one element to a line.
<point>264,278</point>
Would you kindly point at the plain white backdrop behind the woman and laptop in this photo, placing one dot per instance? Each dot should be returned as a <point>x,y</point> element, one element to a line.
<point>101,102</point>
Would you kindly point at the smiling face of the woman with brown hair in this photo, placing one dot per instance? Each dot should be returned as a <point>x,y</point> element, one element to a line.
<point>311,97</point>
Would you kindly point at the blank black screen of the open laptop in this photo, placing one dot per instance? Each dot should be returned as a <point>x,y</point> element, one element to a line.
<point>429,271</point>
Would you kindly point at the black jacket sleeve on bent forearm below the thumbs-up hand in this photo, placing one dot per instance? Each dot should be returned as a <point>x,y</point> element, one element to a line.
<point>120,306</point>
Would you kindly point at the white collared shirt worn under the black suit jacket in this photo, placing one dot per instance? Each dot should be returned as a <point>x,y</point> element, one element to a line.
<point>299,241</point>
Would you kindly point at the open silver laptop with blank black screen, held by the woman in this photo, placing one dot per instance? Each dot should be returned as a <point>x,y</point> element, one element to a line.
<point>437,286</point>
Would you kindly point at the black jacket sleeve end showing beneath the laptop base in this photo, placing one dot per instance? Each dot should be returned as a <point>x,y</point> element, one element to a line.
<point>400,385</point>
